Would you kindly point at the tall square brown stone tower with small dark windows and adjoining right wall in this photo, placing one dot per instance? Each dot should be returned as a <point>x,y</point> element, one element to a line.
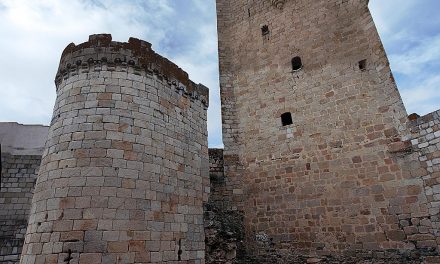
<point>318,154</point>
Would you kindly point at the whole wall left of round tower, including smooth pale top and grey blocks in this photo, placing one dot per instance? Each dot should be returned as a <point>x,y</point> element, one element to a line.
<point>21,147</point>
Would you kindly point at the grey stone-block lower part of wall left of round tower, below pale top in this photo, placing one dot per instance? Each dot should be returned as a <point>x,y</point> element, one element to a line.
<point>18,175</point>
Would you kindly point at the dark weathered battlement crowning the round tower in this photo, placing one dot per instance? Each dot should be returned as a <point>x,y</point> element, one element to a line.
<point>136,57</point>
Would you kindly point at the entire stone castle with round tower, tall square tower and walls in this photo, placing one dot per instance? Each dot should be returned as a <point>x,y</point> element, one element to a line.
<point>321,162</point>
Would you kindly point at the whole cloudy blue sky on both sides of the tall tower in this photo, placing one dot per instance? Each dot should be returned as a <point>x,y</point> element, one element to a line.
<point>33,34</point>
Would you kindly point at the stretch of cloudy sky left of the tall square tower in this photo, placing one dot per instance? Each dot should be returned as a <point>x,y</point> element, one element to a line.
<point>34,34</point>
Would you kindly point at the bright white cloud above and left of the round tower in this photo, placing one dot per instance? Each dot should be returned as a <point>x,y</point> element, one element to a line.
<point>34,33</point>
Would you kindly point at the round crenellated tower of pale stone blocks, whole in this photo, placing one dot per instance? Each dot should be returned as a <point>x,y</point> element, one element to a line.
<point>125,170</point>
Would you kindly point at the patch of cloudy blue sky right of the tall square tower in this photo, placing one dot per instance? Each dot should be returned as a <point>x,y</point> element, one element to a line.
<point>413,48</point>
